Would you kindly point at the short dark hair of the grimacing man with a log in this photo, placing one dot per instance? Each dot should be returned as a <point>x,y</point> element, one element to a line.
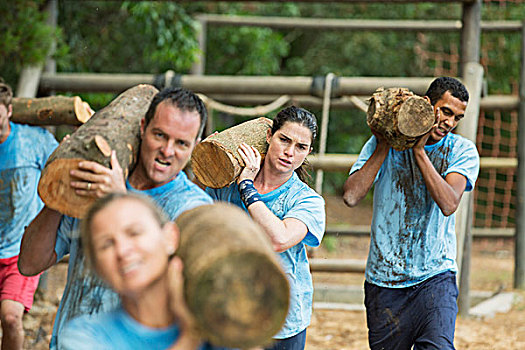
<point>183,99</point>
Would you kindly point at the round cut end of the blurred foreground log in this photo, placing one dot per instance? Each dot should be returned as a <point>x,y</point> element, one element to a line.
<point>252,310</point>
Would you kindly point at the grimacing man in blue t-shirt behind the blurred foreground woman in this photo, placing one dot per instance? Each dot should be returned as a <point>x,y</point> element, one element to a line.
<point>169,131</point>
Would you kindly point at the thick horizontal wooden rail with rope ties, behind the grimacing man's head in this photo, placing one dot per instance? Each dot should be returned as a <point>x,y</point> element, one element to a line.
<point>228,84</point>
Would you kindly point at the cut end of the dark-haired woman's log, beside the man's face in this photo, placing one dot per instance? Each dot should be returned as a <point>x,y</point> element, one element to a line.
<point>213,165</point>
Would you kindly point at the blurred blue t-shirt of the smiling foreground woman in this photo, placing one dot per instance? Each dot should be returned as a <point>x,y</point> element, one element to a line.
<point>114,330</point>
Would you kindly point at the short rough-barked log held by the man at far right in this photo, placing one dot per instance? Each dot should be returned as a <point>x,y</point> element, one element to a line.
<point>400,116</point>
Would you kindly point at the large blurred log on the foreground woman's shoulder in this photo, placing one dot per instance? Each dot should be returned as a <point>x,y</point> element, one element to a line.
<point>233,283</point>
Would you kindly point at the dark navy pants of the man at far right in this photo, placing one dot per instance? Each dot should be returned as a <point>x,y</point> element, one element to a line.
<point>423,315</point>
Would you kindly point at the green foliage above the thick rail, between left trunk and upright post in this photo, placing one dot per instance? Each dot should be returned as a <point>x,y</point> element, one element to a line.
<point>130,37</point>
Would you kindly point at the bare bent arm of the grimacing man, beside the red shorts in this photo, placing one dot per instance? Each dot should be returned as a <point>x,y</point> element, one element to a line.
<point>37,251</point>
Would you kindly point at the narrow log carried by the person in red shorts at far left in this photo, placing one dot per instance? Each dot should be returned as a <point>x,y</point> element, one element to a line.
<point>53,110</point>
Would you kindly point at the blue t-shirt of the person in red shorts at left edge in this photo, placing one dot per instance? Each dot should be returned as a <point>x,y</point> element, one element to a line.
<point>22,158</point>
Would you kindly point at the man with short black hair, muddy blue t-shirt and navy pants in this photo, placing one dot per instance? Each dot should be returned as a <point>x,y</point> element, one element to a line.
<point>410,287</point>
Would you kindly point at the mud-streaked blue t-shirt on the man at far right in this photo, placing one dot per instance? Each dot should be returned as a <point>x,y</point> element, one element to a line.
<point>411,239</point>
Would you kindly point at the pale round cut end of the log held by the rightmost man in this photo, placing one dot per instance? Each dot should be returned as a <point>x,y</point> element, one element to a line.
<point>415,117</point>
